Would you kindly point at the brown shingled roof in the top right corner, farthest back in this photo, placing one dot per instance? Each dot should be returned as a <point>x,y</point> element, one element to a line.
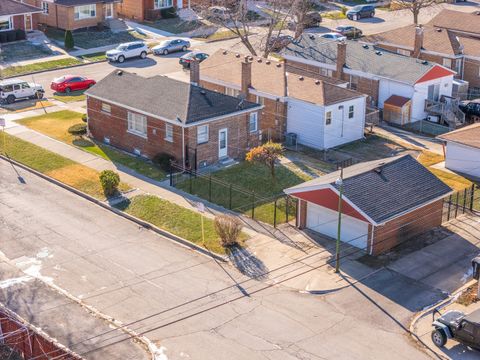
<point>457,20</point>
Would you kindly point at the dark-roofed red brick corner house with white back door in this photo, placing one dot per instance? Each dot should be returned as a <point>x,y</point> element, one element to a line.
<point>150,116</point>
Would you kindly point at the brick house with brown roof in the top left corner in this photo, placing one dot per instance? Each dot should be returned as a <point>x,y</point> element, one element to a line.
<point>17,15</point>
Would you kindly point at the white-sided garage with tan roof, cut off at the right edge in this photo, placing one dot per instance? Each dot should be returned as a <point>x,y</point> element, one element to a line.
<point>462,150</point>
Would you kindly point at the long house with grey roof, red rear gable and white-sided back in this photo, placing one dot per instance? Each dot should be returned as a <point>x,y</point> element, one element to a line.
<point>375,72</point>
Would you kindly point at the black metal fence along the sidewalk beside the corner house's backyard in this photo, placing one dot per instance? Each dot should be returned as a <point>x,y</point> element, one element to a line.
<point>271,210</point>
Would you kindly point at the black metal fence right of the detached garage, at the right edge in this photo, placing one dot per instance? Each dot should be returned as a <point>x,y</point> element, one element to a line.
<point>461,202</point>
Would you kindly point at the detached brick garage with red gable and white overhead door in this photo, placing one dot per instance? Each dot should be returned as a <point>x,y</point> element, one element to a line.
<point>385,202</point>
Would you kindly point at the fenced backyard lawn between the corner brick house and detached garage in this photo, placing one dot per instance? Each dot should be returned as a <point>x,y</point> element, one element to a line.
<point>250,183</point>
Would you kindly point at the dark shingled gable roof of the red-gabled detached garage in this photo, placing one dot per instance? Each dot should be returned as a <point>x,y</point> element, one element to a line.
<point>383,189</point>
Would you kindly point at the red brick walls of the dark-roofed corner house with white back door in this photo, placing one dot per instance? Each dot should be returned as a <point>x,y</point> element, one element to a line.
<point>115,127</point>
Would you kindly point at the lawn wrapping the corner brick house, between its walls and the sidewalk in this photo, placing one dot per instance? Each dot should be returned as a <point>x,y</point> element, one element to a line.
<point>56,125</point>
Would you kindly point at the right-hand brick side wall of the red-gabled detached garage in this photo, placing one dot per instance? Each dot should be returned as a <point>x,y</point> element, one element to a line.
<point>406,227</point>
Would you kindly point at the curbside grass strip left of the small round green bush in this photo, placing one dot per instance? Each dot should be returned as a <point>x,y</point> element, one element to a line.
<point>56,166</point>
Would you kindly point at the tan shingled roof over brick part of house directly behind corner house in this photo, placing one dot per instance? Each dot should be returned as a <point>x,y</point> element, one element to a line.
<point>268,76</point>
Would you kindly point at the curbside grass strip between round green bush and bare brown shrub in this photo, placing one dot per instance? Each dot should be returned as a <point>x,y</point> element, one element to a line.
<point>175,219</point>
